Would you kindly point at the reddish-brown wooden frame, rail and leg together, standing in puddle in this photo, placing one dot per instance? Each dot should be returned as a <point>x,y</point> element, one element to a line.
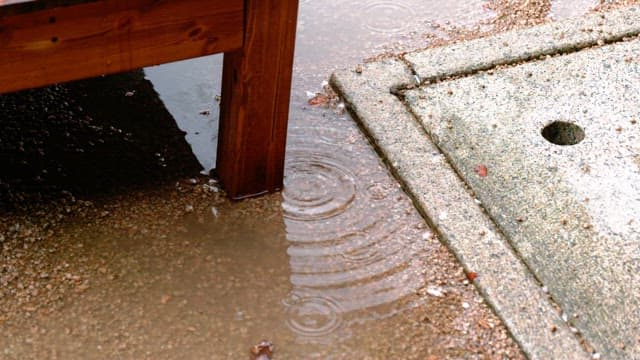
<point>45,42</point>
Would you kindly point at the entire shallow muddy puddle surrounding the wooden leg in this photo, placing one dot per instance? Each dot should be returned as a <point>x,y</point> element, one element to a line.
<point>338,266</point>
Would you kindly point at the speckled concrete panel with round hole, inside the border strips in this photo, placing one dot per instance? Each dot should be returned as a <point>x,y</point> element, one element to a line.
<point>570,211</point>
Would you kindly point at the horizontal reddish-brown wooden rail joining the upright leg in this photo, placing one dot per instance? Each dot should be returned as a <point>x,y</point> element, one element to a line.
<point>109,36</point>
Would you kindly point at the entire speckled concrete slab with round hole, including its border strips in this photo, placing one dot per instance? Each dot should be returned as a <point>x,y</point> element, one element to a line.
<point>527,220</point>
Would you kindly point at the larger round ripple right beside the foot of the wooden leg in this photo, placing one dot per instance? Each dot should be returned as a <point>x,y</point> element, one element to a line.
<point>317,187</point>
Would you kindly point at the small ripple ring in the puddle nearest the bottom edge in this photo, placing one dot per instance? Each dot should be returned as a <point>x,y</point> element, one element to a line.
<point>313,316</point>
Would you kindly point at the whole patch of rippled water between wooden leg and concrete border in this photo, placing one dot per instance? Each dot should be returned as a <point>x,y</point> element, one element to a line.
<point>350,248</point>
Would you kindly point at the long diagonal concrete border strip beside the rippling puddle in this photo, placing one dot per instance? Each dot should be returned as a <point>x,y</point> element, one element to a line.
<point>442,197</point>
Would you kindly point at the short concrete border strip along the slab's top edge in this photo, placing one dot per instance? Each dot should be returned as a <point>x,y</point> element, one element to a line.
<point>526,44</point>
